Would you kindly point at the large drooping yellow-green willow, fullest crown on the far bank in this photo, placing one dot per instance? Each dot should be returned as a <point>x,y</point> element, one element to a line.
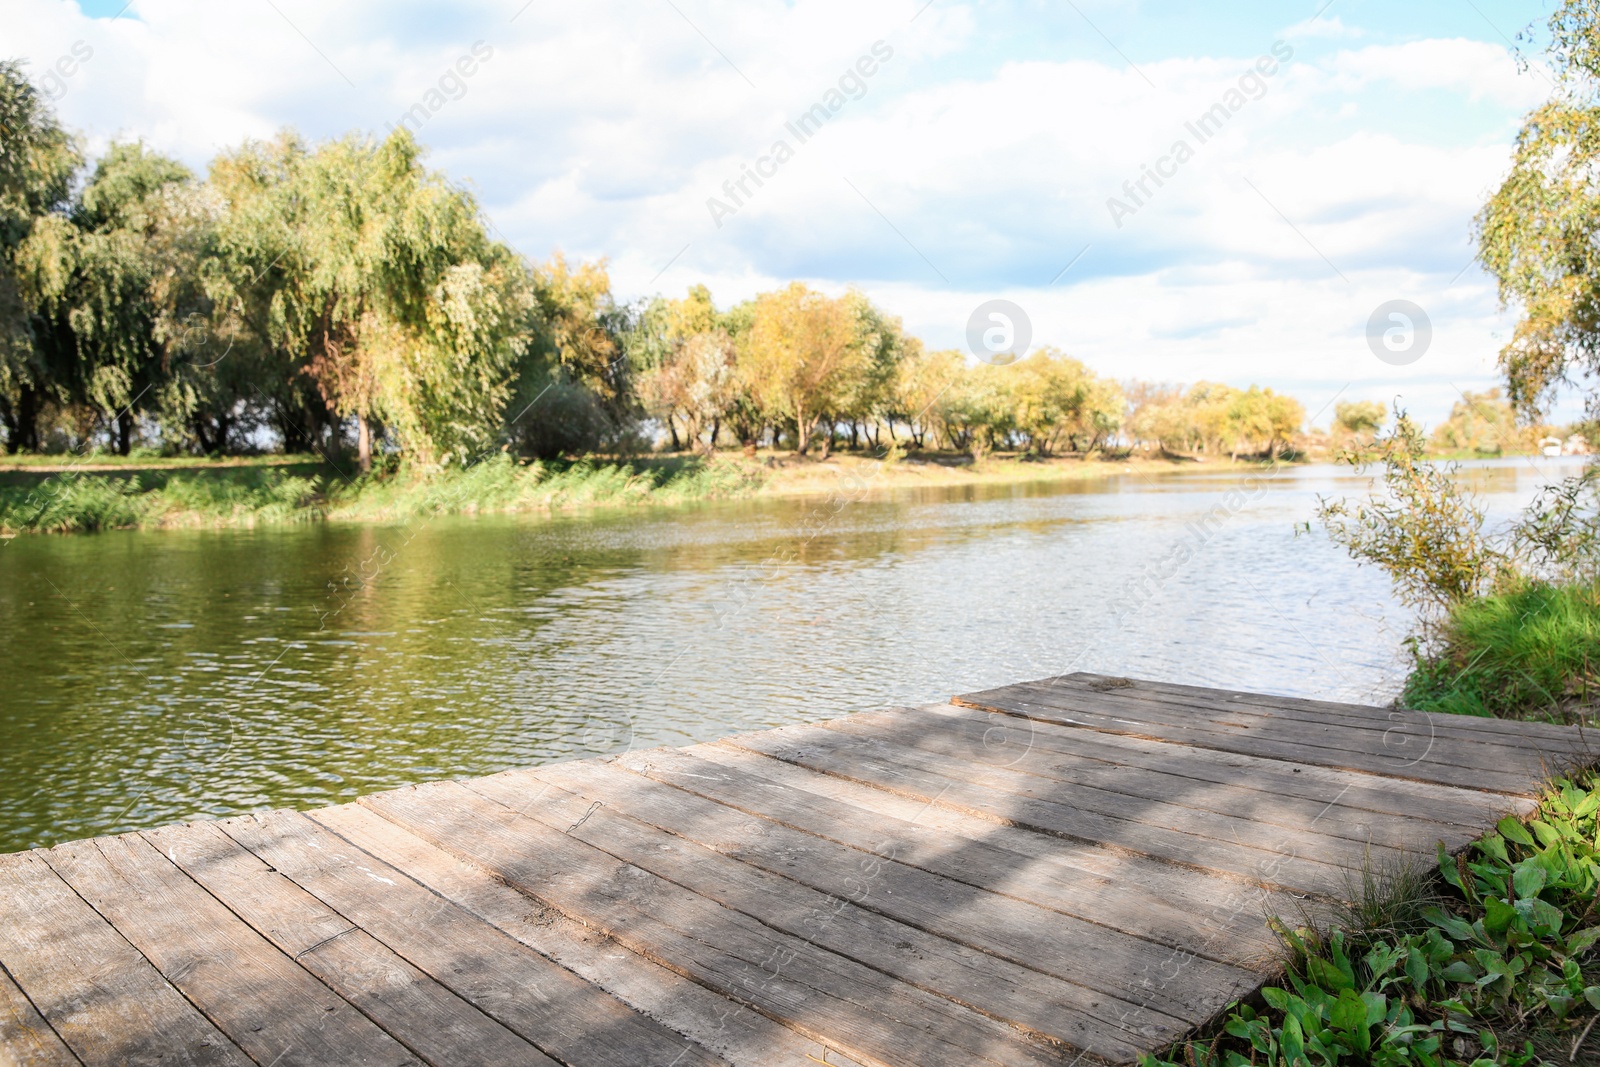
<point>380,286</point>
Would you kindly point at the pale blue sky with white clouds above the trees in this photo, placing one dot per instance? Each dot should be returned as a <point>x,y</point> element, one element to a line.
<point>1305,162</point>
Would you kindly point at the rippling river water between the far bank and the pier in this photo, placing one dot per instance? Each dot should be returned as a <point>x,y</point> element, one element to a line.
<point>162,676</point>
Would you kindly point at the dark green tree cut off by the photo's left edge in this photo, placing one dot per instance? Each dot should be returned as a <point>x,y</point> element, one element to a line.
<point>38,162</point>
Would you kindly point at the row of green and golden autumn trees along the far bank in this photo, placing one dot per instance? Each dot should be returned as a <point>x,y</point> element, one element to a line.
<point>342,297</point>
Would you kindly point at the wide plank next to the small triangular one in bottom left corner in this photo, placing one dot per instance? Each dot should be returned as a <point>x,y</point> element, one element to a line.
<point>95,991</point>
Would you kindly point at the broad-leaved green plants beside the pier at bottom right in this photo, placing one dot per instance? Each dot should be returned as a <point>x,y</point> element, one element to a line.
<point>1490,962</point>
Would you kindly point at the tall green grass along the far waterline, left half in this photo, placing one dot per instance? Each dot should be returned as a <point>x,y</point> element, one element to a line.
<point>244,497</point>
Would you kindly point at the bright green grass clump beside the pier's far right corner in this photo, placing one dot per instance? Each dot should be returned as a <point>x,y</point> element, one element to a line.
<point>1532,653</point>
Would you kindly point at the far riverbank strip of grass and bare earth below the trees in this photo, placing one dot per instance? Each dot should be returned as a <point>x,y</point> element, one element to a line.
<point>134,495</point>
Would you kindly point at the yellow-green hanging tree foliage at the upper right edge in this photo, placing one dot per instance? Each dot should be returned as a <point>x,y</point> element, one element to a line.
<point>1540,233</point>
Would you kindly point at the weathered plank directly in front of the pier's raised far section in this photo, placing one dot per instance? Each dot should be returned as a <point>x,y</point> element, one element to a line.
<point>1468,809</point>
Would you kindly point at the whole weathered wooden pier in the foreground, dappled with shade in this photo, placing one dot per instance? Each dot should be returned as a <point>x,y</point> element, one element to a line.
<point>1057,873</point>
